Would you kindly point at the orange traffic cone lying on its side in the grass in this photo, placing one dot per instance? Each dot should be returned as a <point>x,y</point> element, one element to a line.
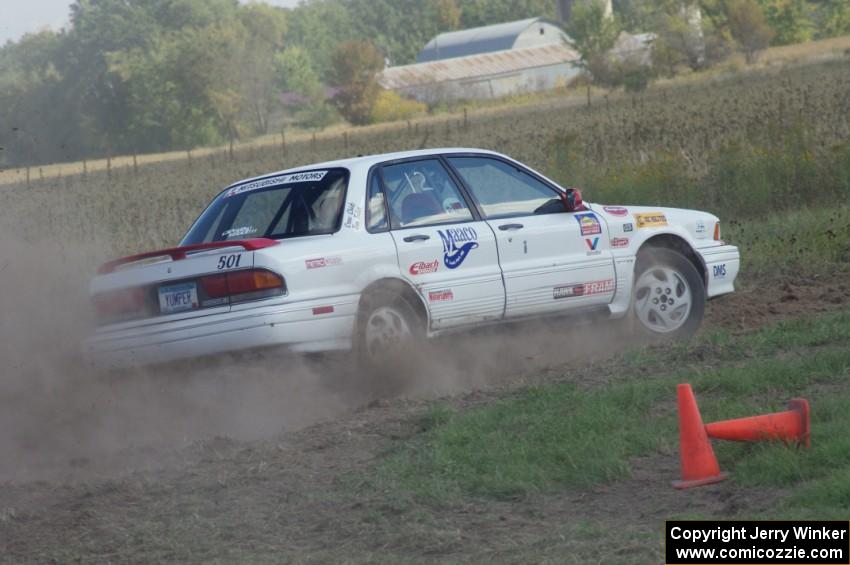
<point>789,426</point>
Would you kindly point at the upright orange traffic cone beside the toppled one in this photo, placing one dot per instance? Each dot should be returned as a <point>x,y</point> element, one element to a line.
<point>699,465</point>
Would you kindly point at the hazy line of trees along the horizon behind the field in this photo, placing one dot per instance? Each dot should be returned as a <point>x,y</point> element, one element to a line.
<point>137,76</point>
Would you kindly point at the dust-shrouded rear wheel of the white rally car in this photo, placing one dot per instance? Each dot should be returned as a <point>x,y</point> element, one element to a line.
<point>394,357</point>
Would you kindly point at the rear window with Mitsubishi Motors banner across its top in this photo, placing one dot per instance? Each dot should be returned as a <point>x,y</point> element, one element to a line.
<point>282,206</point>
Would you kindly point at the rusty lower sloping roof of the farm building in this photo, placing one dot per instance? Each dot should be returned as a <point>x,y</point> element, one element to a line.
<point>476,66</point>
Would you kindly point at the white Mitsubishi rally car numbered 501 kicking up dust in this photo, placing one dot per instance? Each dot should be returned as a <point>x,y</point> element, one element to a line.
<point>366,253</point>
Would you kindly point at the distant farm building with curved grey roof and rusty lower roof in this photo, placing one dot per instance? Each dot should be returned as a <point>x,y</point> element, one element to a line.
<point>487,62</point>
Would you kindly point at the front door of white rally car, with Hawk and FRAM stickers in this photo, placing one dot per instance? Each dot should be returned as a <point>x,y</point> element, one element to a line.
<point>551,259</point>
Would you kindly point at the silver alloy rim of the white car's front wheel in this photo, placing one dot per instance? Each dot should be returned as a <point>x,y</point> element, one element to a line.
<point>662,299</point>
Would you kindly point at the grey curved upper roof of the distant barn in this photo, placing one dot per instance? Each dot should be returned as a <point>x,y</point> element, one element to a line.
<point>485,39</point>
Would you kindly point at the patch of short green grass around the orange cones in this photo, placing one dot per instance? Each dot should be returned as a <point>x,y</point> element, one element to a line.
<point>565,436</point>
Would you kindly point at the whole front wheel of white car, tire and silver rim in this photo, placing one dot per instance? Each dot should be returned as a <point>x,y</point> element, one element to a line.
<point>665,283</point>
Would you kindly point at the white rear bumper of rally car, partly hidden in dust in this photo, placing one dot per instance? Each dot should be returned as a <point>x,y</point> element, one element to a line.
<point>296,326</point>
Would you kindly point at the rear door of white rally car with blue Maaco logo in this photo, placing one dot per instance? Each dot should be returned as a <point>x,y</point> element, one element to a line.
<point>448,253</point>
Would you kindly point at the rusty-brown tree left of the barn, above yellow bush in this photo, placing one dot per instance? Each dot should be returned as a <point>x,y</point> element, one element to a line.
<point>356,65</point>
